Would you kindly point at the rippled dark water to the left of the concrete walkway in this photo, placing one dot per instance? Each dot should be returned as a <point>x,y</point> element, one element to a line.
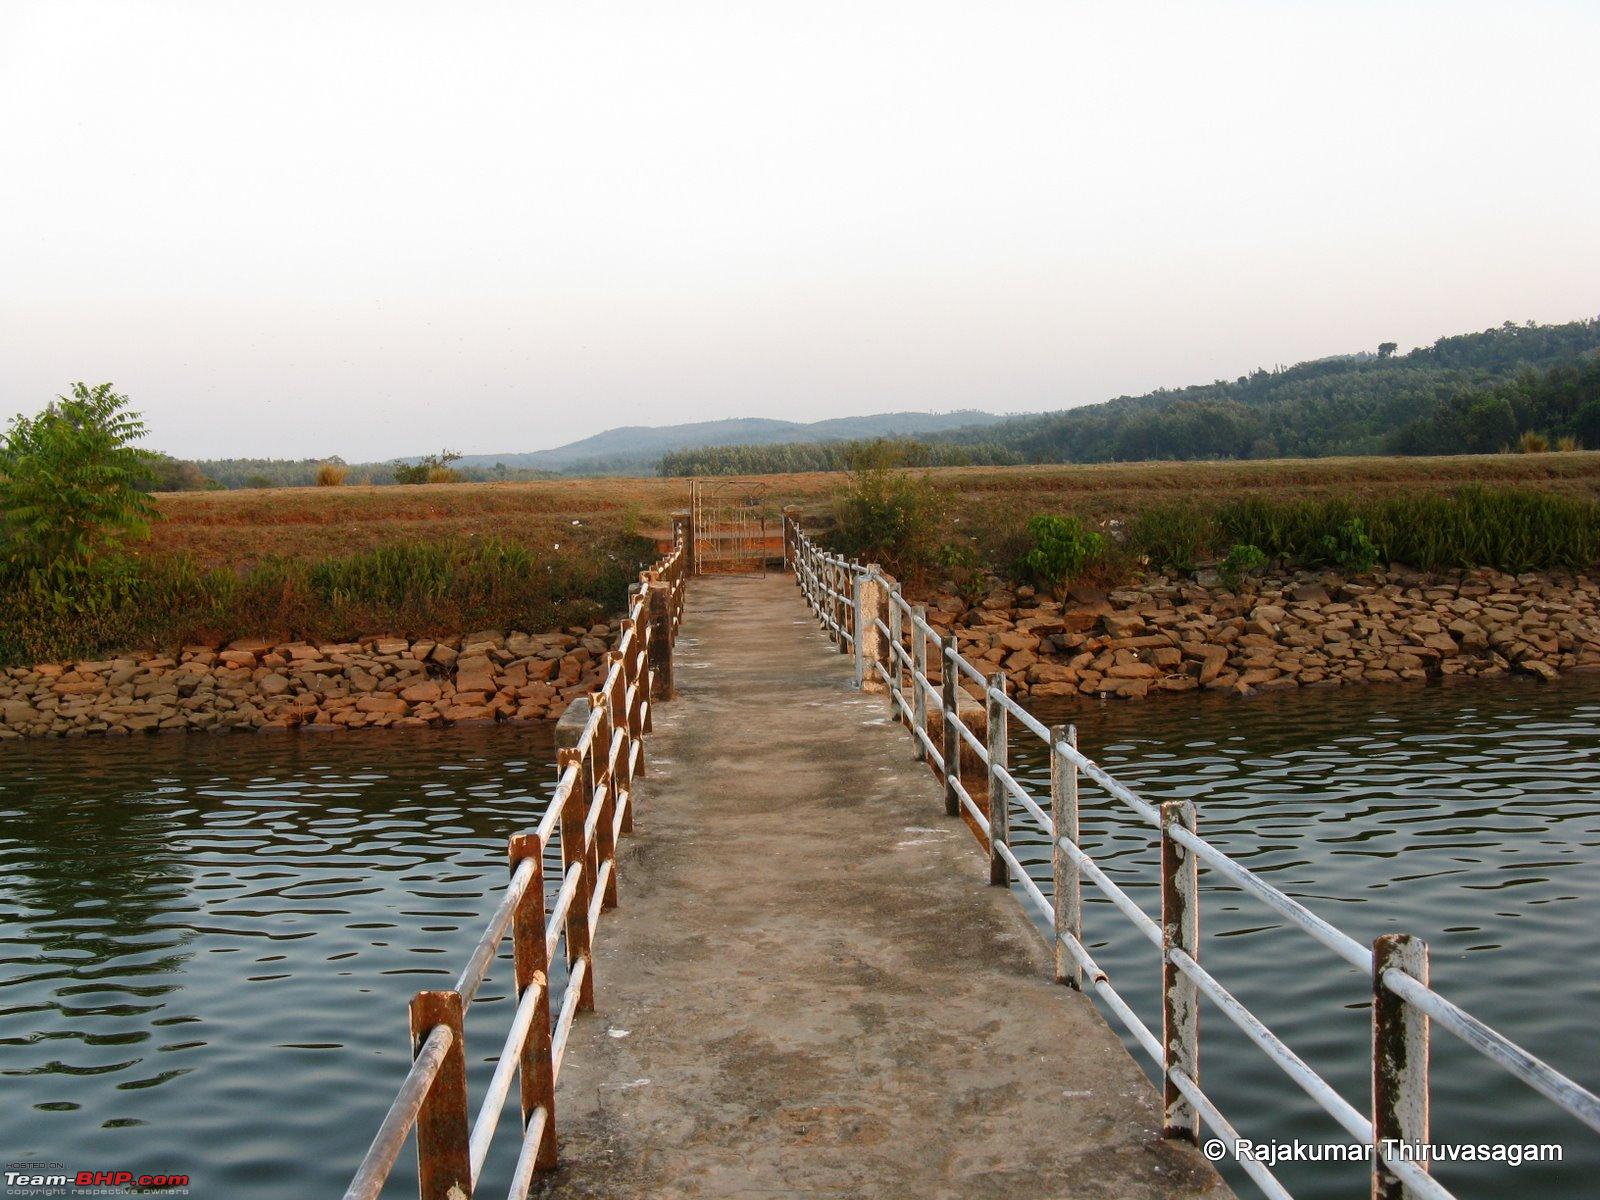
<point>209,945</point>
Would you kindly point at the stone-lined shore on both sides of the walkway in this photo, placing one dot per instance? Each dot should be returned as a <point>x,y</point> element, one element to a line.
<point>1162,636</point>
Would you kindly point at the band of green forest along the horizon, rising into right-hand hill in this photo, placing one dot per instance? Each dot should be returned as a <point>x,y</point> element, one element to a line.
<point>1516,386</point>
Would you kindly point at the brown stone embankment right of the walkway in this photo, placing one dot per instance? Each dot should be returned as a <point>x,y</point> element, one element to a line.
<point>1306,631</point>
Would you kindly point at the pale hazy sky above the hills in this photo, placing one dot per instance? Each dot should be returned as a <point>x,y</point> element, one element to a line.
<point>300,230</point>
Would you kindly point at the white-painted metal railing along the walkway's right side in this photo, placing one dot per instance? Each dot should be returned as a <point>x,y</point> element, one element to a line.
<point>865,612</point>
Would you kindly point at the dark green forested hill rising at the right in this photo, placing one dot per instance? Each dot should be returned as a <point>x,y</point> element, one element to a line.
<point>1474,393</point>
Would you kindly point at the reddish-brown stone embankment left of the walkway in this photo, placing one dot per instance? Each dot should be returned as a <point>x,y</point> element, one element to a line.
<point>257,686</point>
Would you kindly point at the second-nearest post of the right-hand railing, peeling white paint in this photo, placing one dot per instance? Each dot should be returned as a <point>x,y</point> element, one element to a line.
<point>1180,996</point>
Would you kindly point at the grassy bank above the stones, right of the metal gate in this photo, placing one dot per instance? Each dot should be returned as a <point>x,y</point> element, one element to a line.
<point>1510,513</point>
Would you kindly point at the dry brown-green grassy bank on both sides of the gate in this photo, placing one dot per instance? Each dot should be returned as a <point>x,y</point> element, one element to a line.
<point>418,561</point>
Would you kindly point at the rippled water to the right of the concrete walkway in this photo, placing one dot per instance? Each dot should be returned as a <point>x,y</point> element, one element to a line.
<point>1468,817</point>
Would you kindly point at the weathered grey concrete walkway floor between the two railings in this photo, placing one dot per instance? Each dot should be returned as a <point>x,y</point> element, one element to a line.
<point>810,990</point>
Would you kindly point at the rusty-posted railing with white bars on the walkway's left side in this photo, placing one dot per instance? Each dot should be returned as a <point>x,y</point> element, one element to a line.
<point>591,809</point>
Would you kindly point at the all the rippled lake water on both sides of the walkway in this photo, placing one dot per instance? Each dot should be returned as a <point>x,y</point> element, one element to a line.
<point>210,942</point>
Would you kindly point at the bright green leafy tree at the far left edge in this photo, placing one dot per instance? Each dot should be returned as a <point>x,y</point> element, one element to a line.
<point>73,486</point>
